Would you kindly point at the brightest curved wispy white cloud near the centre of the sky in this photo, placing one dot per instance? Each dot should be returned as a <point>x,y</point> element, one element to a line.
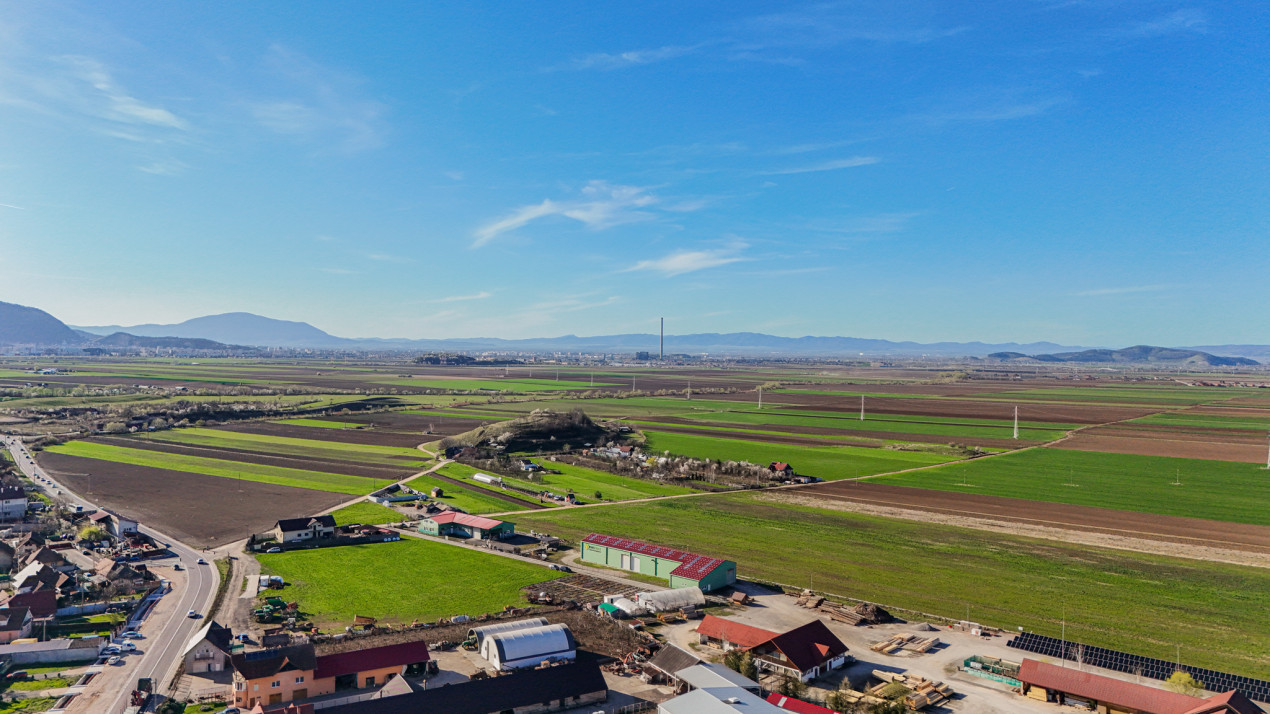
<point>603,205</point>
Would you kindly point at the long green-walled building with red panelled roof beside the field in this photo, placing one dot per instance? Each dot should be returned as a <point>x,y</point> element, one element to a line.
<point>681,569</point>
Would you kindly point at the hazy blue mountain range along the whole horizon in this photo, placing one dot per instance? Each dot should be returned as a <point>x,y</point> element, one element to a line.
<point>29,326</point>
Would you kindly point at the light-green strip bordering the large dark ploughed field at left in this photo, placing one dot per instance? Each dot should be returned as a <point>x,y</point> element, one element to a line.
<point>277,476</point>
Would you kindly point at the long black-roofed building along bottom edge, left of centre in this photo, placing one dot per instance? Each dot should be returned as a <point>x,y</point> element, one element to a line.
<point>552,689</point>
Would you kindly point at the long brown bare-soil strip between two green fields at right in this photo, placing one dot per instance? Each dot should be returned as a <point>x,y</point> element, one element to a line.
<point>1173,529</point>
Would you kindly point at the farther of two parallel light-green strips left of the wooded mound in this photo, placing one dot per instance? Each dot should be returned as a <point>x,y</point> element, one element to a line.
<point>401,457</point>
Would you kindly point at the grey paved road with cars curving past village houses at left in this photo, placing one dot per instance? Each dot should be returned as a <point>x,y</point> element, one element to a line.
<point>167,630</point>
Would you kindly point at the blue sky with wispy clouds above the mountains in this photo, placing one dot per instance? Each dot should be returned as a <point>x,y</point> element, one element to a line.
<point>1083,172</point>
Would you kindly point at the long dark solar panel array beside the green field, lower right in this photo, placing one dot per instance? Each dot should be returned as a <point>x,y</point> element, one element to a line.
<point>1151,668</point>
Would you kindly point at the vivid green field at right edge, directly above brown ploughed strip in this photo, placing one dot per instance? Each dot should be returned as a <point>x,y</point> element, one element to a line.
<point>1221,491</point>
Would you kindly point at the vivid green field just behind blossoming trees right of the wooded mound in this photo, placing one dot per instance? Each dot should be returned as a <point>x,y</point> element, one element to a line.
<point>829,463</point>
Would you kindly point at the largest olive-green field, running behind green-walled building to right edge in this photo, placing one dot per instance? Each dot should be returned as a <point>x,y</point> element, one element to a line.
<point>1130,602</point>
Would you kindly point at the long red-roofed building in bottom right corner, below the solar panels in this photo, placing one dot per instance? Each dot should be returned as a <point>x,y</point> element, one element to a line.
<point>1062,685</point>
